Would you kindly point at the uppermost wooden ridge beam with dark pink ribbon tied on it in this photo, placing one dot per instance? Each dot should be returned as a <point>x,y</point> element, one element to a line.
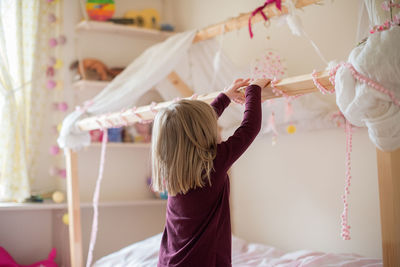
<point>242,20</point>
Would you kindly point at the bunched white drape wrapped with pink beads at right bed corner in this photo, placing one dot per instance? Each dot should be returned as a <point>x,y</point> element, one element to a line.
<point>379,60</point>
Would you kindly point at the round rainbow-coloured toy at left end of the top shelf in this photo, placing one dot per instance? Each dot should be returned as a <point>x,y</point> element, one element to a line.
<point>100,10</point>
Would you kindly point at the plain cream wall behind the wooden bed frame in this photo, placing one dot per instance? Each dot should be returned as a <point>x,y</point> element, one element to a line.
<point>289,195</point>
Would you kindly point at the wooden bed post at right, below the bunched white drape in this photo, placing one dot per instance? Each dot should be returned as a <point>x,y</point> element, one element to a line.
<point>389,194</point>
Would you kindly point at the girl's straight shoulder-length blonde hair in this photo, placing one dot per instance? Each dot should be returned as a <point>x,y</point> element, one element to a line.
<point>184,145</point>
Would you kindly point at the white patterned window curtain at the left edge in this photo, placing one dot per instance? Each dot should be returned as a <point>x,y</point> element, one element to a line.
<point>21,93</point>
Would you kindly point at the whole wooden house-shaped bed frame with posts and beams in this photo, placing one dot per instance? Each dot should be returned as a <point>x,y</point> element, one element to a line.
<point>388,162</point>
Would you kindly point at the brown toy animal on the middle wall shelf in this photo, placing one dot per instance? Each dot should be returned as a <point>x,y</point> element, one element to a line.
<point>94,69</point>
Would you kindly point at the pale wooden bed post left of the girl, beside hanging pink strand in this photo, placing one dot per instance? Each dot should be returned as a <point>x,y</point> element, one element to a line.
<point>74,213</point>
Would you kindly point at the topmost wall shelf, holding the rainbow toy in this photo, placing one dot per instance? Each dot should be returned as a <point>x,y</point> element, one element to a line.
<point>109,27</point>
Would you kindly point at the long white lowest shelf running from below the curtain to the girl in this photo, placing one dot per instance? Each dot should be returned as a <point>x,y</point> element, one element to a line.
<point>49,205</point>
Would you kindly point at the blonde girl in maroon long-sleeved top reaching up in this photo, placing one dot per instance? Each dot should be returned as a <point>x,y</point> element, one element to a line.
<point>189,163</point>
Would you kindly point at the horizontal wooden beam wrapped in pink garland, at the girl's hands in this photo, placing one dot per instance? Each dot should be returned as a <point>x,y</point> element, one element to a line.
<point>302,84</point>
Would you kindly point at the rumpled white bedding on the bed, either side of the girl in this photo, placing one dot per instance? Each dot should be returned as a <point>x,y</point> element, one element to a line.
<point>145,253</point>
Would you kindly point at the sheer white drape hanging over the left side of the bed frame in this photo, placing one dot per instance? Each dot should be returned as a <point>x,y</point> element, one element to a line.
<point>193,63</point>
